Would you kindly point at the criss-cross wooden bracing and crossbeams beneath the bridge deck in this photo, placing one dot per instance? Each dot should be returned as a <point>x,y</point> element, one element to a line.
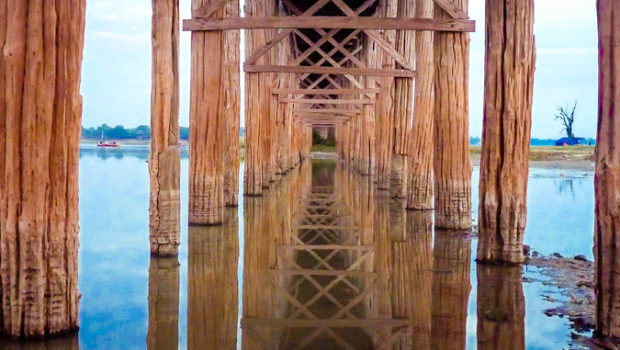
<point>326,59</point>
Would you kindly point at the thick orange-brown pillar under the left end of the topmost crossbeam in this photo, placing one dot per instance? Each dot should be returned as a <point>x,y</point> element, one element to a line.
<point>207,125</point>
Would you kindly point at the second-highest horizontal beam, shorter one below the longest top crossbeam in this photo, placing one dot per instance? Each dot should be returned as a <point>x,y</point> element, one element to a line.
<point>331,70</point>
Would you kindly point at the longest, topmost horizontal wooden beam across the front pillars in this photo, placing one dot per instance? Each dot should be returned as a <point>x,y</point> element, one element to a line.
<point>329,22</point>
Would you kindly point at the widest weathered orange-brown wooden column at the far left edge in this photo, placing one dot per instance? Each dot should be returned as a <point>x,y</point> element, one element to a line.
<point>41,112</point>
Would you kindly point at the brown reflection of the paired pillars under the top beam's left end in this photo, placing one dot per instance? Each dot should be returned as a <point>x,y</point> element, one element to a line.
<point>212,285</point>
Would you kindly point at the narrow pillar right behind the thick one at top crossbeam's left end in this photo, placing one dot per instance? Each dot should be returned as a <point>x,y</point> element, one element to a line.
<point>231,106</point>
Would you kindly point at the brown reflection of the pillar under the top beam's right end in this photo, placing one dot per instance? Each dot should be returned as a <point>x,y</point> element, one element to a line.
<point>451,286</point>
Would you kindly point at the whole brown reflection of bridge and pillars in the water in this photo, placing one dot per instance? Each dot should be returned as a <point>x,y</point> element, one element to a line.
<point>329,263</point>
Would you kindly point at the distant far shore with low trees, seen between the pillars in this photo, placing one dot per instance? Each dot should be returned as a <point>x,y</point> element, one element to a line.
<point>572,157</point>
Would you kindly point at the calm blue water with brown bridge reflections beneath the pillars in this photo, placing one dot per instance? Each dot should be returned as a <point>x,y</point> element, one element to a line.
<point>321,261</point>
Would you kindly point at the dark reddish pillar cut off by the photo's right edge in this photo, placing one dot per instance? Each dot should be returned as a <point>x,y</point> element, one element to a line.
<point>607,234</point>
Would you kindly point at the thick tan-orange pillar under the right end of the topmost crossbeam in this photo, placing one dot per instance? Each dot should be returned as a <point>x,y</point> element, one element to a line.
<point>452,161</point>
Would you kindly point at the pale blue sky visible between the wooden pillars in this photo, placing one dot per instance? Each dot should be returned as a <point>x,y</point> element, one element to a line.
<point>117,64</point>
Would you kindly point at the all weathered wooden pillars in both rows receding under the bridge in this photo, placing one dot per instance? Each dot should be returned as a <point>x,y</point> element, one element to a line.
<point>40,69</point>
